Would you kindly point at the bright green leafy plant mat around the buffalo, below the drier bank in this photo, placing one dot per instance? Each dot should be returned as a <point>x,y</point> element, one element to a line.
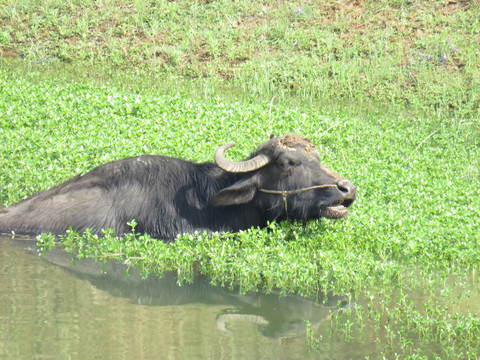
<point>415,223</point>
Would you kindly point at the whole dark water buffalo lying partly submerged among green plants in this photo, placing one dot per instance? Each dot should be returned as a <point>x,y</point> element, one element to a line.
<point>282,179</point>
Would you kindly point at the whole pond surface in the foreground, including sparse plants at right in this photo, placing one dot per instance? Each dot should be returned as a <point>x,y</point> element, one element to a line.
<point>50,309</point>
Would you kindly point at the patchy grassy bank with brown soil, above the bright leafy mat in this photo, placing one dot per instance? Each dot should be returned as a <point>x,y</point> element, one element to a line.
<point>419,54</point>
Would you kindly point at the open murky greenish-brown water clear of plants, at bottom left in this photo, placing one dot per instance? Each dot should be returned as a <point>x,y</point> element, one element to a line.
<point>50,310</point>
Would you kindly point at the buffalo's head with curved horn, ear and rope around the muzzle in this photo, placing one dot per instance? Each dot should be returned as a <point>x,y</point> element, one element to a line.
<point>286,180</point>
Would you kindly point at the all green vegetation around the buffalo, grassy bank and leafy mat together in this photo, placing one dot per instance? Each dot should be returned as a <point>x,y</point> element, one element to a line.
<point>83,83</point>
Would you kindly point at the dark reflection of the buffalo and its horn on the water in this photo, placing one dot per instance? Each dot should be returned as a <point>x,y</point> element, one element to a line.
<point>275,316</point>
